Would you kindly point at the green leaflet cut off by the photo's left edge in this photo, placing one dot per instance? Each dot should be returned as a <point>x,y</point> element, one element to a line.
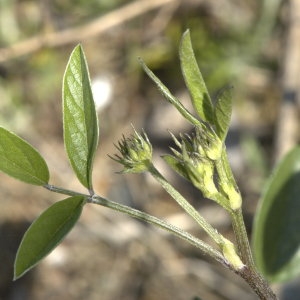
<point>20,160</point>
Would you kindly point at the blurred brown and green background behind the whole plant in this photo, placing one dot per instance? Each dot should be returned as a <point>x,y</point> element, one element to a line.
<point>251,45</point>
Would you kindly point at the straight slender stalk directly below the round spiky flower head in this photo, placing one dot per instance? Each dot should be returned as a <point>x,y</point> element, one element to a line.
<point>212,232</point>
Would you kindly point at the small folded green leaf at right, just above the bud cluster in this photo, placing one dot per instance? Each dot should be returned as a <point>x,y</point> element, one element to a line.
<point>223,110</point>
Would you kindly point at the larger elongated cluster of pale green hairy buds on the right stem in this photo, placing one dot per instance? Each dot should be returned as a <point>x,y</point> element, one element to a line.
<point>199,160</point>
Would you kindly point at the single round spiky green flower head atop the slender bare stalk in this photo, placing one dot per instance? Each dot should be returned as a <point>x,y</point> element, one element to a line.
<point>135,153</point>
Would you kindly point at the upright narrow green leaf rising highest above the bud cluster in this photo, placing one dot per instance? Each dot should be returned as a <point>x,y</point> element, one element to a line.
<point>194,80</point>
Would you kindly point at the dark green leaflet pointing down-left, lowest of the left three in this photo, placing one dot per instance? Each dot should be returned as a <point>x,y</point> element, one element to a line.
<point>46,232</point>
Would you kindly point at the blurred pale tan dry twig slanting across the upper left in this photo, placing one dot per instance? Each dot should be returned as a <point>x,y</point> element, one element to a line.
<point>72,35</point>
